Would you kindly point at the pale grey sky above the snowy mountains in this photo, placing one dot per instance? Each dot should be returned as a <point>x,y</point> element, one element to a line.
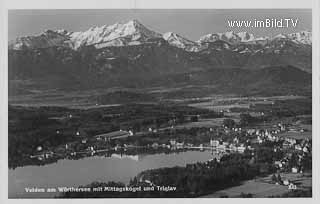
<point>191,24</point>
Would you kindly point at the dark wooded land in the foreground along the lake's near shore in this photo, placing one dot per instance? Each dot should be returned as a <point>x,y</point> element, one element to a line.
<point>192,180</point>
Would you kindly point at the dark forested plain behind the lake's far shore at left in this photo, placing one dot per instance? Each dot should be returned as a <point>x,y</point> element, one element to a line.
<point>49,127</point>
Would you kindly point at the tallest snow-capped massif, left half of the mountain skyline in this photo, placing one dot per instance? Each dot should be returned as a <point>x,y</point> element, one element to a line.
<point>118,34</point>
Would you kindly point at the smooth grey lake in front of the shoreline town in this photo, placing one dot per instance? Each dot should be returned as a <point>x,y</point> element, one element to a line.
<point>73,173</point>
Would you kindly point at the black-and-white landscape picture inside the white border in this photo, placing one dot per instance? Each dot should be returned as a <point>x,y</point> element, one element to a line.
<point>160,103</point>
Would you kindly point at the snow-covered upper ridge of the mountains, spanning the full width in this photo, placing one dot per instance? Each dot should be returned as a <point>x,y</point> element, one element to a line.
<point>133,32</point>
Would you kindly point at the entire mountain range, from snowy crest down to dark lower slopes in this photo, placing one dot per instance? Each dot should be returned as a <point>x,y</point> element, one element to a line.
<point>131,55</point>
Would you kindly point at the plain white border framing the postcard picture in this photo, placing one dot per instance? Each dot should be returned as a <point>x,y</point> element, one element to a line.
<point>5,5</point>
